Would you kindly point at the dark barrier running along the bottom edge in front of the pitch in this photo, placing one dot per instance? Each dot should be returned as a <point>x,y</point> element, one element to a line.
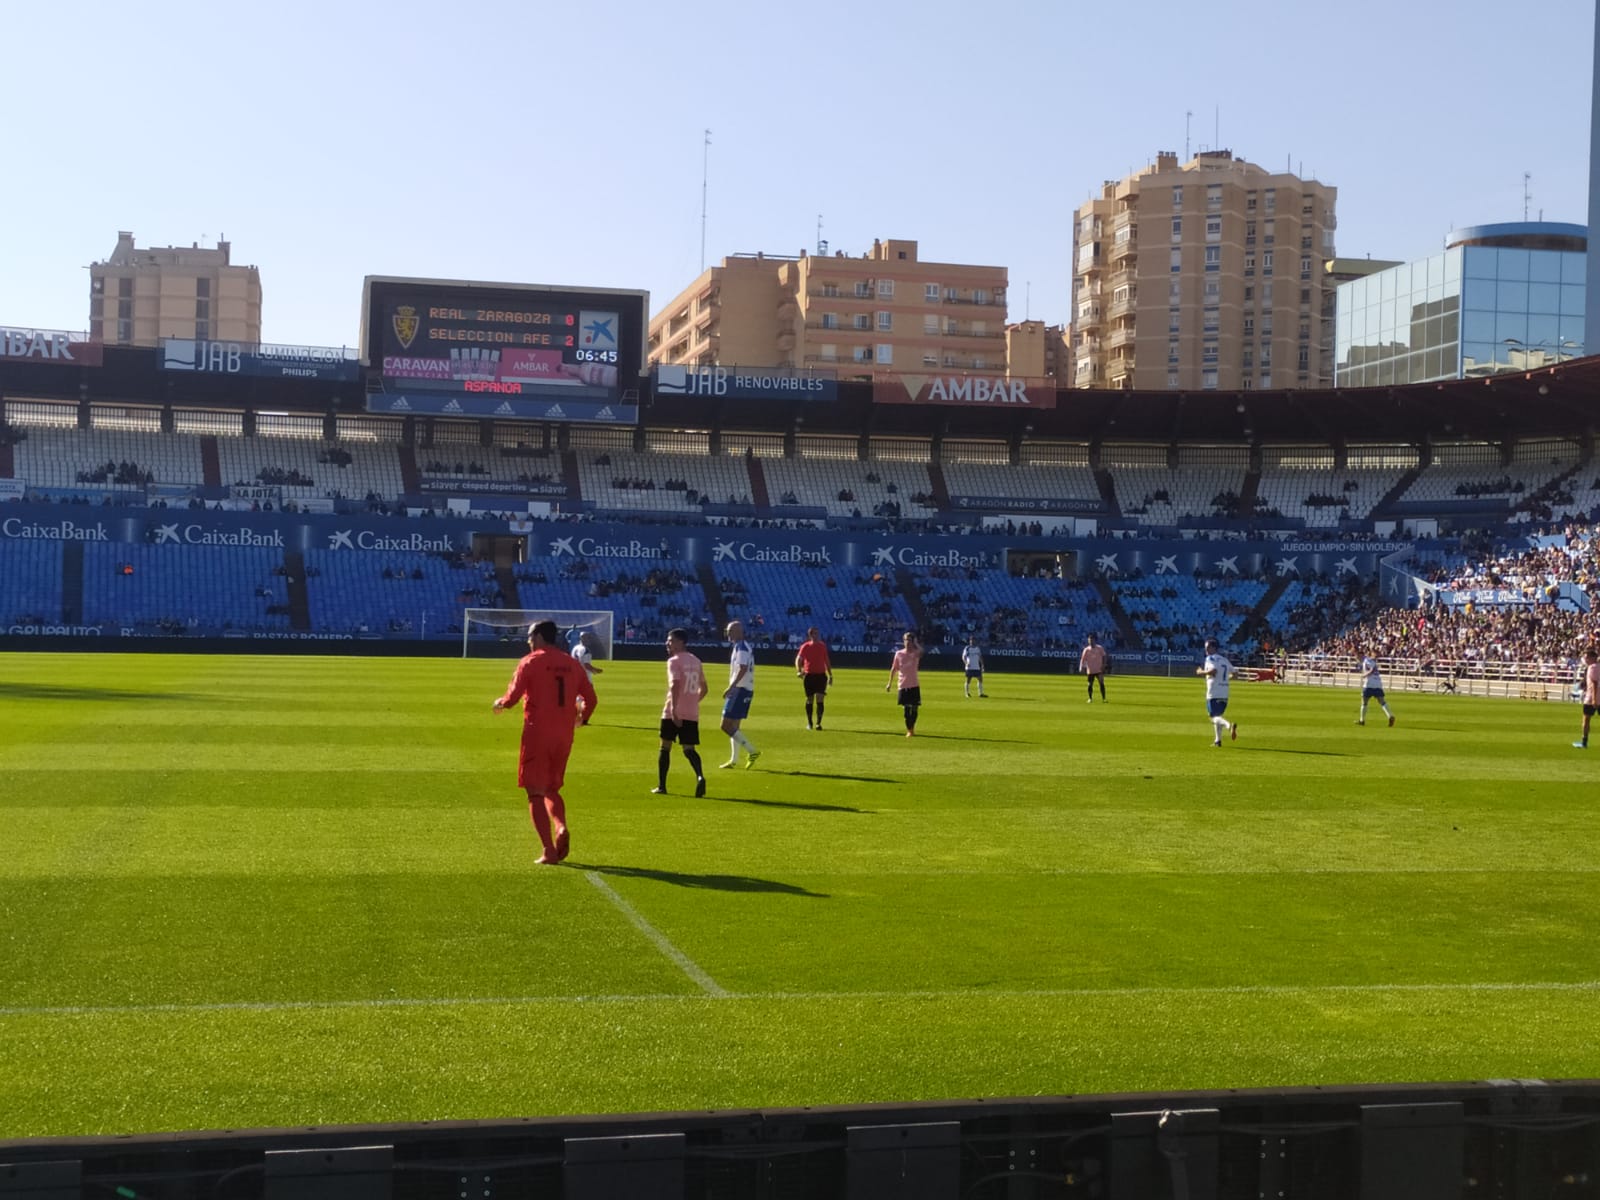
<point>1510,1140</point>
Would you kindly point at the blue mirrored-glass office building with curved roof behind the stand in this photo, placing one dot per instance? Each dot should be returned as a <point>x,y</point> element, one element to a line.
<point>1500,298</point>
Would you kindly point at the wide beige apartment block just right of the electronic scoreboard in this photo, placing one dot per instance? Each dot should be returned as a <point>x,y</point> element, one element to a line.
<point>886,311</point>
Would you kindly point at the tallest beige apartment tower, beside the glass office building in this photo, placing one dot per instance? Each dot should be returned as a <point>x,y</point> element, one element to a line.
<point>1207,274</point>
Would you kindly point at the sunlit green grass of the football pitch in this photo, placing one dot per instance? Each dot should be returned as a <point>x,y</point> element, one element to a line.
<point>244,892</point>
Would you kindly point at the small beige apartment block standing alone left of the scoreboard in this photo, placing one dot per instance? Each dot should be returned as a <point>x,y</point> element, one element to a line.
<point>138,297</point>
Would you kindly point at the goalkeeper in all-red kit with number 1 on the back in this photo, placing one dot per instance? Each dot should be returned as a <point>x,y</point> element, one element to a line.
<point>550,682</point>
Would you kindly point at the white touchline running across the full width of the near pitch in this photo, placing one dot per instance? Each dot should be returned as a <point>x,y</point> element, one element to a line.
<point>798,998</point>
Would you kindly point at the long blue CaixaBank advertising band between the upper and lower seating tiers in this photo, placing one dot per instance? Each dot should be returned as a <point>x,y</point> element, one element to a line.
<point>724,550</point>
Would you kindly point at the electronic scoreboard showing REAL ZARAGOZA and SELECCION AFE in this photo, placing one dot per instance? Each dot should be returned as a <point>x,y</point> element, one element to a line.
<point>506,351</point>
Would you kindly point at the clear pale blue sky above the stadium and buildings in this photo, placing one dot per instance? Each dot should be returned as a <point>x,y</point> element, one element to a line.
<point>562,143</point>
